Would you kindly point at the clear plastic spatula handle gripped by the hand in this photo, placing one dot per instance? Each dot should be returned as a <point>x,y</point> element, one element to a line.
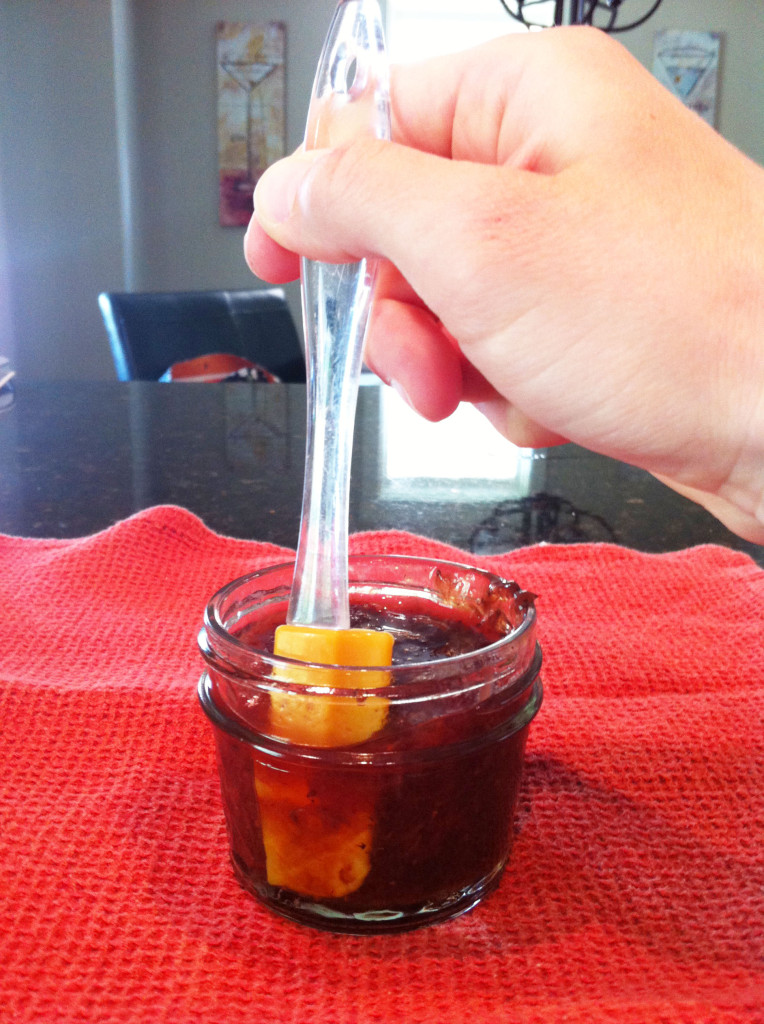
<point>351,98</point>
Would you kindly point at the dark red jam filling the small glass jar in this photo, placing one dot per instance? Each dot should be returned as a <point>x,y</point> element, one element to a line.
<point>412,826</point>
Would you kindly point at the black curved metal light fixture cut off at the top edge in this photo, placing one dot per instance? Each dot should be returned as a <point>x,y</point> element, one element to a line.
<point>611,16</point>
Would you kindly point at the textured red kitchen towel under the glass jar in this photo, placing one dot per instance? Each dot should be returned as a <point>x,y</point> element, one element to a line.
<point>635,893</point>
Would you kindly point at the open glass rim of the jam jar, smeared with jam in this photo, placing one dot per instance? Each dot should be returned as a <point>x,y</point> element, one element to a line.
<point>466,603</point>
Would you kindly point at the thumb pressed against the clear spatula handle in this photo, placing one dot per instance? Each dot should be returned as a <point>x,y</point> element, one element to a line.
<point>443,224</point>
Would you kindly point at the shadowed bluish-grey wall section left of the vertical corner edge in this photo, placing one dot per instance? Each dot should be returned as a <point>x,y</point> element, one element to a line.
<point>59,195</point>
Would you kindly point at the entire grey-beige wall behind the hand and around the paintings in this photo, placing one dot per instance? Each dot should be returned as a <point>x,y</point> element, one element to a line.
<point>108,151</point>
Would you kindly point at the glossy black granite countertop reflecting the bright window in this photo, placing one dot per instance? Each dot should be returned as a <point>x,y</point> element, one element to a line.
<point>77,457</point>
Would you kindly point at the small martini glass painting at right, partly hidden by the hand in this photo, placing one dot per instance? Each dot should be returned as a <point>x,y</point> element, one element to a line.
<point>688,64</point>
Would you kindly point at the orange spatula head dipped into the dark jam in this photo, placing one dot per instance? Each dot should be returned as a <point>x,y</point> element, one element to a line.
<point>318,844</point>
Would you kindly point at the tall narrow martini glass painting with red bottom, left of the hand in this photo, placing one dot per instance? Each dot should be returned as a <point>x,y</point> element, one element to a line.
<point>251,117</point>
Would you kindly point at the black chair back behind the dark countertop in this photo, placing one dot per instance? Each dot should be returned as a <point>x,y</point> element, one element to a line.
<point>151,331</point>
